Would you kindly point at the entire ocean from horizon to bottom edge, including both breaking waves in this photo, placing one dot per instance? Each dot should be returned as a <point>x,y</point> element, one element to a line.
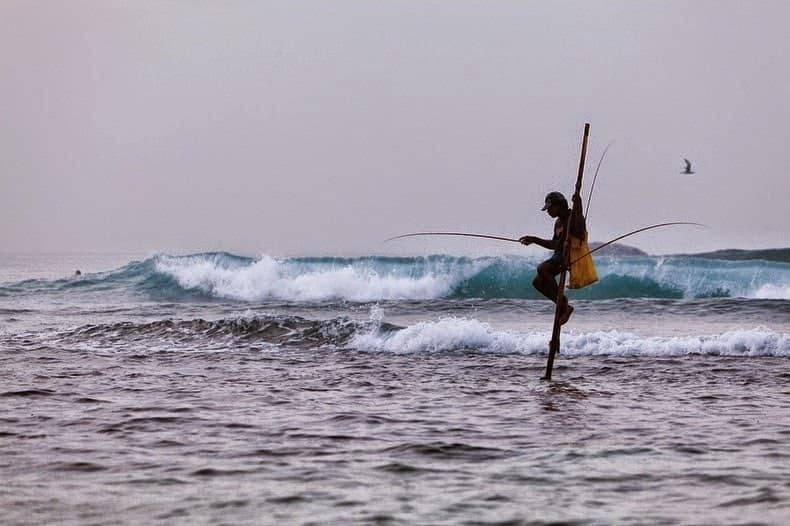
<point>221,389</point>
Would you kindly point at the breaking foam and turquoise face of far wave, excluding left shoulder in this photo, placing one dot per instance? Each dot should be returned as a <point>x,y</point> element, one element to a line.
<point>370,279</point>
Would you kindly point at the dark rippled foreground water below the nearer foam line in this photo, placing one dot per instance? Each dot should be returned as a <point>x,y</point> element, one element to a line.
<point>306,436</point>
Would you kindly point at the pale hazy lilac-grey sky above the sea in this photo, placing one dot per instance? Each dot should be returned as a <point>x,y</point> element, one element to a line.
<point>324,127</point>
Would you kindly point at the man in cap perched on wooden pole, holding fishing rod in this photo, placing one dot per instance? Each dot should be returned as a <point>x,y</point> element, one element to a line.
<point>557,207</point>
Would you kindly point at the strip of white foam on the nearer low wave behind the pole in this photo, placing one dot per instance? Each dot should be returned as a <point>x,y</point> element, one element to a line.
<point>450,334</point>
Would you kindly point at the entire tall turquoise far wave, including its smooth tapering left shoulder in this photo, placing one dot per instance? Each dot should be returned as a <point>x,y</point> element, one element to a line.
<point>223,276</point>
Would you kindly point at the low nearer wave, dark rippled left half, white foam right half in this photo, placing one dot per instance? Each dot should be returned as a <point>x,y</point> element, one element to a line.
<point>446,335</point>
